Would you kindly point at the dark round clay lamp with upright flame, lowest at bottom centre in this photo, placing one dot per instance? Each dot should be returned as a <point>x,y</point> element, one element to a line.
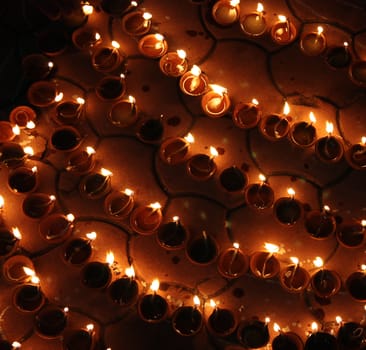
<point>188,320</point>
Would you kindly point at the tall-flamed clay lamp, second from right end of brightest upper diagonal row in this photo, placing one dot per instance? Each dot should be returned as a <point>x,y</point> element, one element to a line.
<point>329,148</point>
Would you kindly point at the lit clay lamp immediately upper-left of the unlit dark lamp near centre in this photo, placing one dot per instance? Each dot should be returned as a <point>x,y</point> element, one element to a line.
<point>202,167</point>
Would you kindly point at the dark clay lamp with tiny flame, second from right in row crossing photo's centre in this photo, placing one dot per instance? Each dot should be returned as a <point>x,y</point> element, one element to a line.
<point>320,224</point>
